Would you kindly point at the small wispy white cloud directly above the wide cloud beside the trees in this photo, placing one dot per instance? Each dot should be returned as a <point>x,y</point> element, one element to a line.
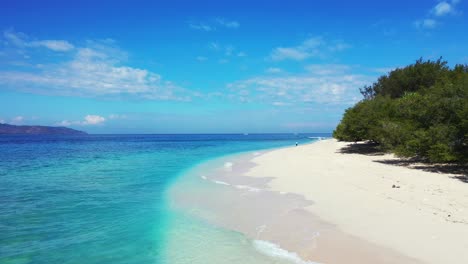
<point>312,47</point>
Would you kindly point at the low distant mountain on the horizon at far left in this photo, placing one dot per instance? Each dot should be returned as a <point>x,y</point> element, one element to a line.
<point>6,129</point>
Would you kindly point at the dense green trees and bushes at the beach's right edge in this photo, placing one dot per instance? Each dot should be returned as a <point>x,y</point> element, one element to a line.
<point>417,111</point>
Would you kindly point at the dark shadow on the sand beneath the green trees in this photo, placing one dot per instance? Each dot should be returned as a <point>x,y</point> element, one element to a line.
<point>459,171</point>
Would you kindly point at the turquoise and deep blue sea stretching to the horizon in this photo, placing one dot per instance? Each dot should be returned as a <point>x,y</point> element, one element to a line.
<point>103,199</point>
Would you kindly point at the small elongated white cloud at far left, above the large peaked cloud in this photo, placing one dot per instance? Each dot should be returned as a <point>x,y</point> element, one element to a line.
<point>21,40</point>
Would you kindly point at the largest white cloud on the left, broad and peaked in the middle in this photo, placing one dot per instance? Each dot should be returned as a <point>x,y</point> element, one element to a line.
<point>95,70</point>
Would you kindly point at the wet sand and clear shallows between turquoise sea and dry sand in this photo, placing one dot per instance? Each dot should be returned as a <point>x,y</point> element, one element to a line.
<point>247,204</point>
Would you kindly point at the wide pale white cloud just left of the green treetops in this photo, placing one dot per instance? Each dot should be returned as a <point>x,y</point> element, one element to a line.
<point>337,86</point>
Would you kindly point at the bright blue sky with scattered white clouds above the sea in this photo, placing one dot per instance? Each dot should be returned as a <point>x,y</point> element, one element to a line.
<point>210,66</point>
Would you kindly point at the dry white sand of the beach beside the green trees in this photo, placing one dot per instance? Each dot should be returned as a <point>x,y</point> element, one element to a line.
<point>426,218</point>
